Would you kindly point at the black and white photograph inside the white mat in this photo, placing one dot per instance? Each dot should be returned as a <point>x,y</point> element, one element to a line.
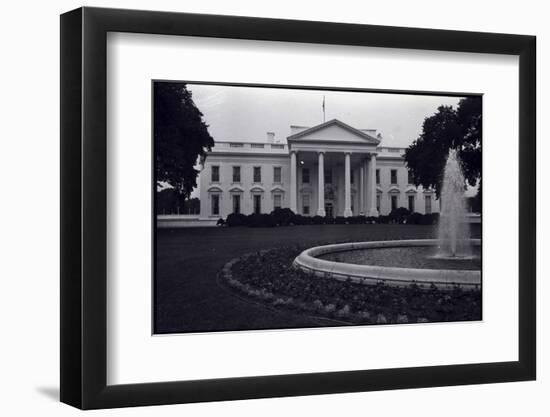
<point>279,207</point>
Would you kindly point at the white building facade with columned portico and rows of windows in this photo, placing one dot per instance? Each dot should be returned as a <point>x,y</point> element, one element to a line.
<point>355,173</point>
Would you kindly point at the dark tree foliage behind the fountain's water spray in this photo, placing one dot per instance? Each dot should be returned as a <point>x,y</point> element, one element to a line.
<point>447,129</point>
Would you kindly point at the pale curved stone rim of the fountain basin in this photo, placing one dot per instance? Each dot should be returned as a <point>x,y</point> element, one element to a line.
<point>311,261</point>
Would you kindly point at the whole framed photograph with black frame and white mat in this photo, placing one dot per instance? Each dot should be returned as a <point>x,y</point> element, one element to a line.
<point>258,208</point>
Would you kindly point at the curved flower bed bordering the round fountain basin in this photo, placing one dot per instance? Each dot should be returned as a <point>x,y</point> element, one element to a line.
<point>268,276</point>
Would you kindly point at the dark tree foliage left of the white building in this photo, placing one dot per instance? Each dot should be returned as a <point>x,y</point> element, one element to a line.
<point>181,137</point>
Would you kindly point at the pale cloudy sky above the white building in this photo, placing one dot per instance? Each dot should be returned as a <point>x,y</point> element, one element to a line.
<point>247,113</point>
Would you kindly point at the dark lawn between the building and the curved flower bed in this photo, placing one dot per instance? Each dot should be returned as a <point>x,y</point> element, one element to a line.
<point>190,297</point>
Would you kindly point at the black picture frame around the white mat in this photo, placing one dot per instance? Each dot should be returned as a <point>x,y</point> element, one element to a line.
<point>84,207</point>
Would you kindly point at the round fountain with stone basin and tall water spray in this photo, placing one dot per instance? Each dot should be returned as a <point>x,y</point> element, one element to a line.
<point>452,260</point>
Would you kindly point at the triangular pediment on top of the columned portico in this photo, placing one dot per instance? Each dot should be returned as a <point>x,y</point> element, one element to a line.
<point>334,131</point>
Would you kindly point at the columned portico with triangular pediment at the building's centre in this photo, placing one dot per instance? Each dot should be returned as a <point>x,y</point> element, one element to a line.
<point>343,160</point>
